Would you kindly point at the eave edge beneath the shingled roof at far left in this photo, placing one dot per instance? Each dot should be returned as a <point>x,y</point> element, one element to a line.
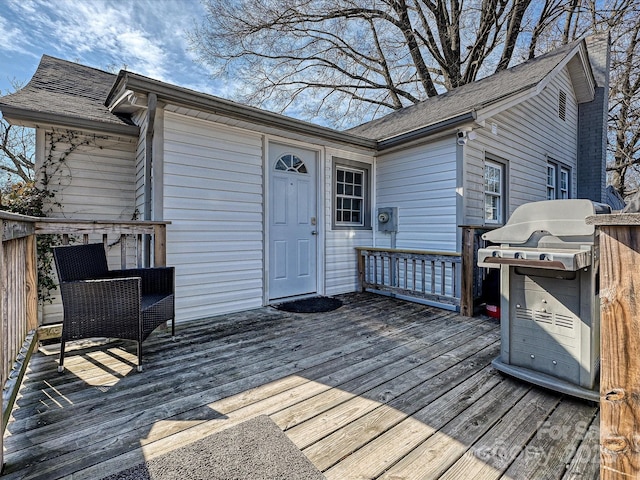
<point>29,118</point>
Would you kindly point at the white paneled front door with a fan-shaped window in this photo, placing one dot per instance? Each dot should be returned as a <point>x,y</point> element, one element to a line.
<point>293,229</point>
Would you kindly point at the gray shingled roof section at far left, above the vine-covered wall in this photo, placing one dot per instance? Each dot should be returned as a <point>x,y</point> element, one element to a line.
<point>68,89</point>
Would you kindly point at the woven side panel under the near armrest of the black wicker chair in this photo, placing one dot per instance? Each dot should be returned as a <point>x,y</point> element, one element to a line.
<point>102,308</point>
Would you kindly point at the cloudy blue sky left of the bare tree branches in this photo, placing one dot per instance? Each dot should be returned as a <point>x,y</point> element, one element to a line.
<point>148,36</point>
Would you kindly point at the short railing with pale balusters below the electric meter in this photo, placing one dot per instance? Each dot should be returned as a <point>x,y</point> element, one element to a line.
<point>413,273</point>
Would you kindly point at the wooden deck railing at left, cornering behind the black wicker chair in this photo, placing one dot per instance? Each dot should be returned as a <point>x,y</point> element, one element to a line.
<point>142,243</point>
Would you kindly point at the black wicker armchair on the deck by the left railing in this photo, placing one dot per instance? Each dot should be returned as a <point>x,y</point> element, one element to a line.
<point>98,302</point>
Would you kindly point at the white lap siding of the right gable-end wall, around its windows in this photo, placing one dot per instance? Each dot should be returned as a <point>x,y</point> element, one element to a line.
<point>527,135</point>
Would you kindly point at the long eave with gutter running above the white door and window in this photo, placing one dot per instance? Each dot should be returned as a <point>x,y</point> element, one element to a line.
<point>208,103</point>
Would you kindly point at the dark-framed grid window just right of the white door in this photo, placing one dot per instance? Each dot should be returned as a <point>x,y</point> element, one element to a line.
<point>351,194</point>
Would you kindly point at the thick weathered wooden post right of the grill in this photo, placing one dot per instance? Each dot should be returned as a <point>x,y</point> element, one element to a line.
<point>620,344</point>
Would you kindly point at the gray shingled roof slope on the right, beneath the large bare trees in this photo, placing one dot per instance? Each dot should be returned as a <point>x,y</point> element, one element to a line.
<point>464,99</point>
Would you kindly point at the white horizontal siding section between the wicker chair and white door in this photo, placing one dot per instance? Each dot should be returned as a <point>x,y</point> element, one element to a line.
<point>213,198</point>
